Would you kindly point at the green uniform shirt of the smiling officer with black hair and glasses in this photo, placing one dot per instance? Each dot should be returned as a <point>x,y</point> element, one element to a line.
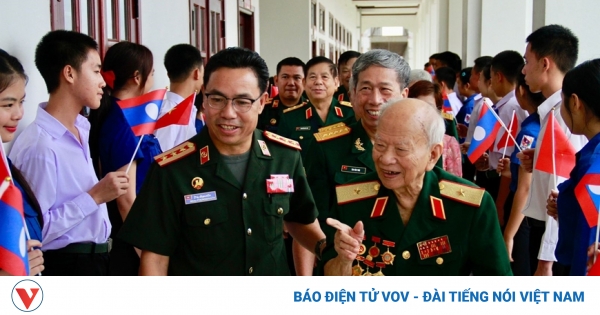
<point>194,210</point>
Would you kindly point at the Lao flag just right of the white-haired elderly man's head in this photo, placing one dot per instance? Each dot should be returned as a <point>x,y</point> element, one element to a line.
<point>485,133</point>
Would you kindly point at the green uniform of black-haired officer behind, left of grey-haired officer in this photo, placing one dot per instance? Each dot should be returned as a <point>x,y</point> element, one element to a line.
<point>301,122</point>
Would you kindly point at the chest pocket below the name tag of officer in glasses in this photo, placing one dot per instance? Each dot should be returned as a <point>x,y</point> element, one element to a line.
<point>206,224</point>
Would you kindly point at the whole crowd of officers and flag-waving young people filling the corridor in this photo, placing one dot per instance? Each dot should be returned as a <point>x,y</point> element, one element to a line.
<point>358,167</point>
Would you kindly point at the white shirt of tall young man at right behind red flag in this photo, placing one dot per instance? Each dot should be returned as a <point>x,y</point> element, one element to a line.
<point>542,183</point>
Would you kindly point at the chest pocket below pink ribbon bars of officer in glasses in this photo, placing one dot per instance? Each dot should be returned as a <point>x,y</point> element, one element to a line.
<point>275,209</point>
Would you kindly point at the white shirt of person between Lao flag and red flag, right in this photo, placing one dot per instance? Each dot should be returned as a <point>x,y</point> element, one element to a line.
<point>505,107</point>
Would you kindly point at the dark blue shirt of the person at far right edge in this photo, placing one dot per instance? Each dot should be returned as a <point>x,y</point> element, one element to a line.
<point>574,234</point>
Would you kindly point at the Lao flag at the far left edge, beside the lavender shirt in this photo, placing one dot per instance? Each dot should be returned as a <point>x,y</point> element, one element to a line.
<point>13,248</point>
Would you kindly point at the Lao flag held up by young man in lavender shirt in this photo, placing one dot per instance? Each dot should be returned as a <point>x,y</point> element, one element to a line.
<point>141,112</point>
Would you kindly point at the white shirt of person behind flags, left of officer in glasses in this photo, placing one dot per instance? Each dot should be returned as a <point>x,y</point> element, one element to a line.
<point>172,135</point>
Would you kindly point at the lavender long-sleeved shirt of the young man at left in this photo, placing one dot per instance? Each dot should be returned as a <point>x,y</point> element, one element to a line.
<point>60,171</point>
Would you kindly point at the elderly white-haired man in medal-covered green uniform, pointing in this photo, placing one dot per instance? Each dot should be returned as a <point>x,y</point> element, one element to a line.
<point>411,218</point>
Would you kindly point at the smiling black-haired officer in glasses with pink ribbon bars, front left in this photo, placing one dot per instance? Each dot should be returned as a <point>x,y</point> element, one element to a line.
<point>217,204</point>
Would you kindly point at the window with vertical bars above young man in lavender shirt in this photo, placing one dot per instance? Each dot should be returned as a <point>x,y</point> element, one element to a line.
<point>107,21</point>
